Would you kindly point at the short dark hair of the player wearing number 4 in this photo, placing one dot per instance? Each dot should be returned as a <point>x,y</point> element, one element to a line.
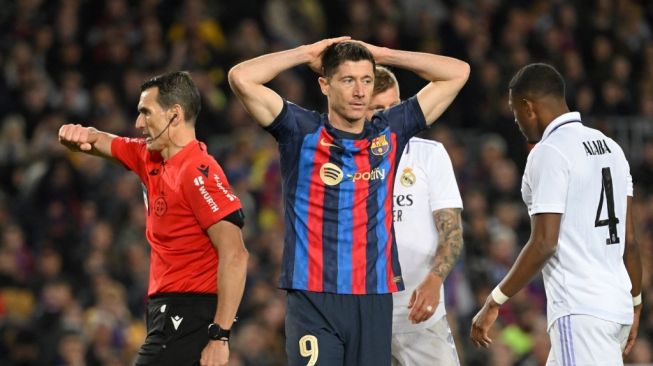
<point>538,79</point>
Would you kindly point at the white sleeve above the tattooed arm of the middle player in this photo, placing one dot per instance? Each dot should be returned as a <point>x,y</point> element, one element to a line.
<point>443,188</point>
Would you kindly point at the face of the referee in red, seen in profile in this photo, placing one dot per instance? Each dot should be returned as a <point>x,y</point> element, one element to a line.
<point>151,120</point>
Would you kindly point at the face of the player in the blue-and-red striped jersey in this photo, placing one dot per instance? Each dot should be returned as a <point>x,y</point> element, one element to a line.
<point>349,90</point>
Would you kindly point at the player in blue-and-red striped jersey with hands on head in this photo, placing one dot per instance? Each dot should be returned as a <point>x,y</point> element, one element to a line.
<point>340,259</point>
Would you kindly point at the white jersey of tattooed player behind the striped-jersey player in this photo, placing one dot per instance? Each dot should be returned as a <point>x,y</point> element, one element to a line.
<point>425,183</point>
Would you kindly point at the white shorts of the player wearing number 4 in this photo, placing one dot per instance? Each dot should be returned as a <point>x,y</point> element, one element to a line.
<point>579,340</point>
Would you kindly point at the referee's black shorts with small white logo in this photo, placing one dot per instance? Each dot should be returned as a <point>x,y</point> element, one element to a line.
<point>176,329</point>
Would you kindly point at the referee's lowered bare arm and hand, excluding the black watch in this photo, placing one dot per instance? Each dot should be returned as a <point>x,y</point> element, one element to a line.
<point>228,241</point>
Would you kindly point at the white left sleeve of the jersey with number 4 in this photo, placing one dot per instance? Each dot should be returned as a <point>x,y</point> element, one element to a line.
<point>549,180</point>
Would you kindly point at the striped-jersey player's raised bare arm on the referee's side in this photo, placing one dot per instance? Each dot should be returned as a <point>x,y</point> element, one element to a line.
<point>248,78</point>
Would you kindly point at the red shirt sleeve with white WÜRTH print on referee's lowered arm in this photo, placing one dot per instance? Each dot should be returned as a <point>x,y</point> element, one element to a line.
<point>208,193</point>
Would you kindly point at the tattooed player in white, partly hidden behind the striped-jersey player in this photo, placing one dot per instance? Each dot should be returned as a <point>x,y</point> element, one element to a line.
<point>428,231</point>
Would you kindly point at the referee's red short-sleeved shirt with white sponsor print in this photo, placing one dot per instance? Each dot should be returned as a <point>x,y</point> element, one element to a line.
<point>183,197</point>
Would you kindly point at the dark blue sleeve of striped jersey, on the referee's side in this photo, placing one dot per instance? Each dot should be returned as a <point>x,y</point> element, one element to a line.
<point>292,122</point>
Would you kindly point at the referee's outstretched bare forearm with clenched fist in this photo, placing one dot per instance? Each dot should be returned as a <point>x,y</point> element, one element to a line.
<point>86,139</point>
